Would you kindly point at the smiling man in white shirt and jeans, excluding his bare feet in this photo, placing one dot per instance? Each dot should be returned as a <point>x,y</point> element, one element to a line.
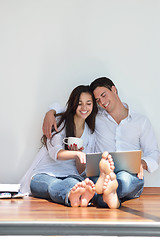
<point>118,128</point>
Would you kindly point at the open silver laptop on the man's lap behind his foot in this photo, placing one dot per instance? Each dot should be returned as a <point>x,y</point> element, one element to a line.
<point>129,161</point>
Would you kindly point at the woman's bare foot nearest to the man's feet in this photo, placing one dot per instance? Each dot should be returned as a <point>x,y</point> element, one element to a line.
<point>88,194</point>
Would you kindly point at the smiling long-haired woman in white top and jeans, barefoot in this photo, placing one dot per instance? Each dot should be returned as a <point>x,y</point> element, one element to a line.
<point>53,174</point>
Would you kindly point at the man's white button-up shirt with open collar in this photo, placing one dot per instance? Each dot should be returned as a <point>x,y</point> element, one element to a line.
<point>133,133</point>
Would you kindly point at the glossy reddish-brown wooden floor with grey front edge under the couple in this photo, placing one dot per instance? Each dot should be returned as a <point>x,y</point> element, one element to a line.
<point>141,211</point>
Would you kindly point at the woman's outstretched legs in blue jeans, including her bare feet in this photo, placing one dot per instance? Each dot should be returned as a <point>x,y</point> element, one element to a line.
<point>58,189</point>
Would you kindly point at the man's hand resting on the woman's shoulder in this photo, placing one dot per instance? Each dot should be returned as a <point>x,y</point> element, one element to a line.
<point>49,122</point>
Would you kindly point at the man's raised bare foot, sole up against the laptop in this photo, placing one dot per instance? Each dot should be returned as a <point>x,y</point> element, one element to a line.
<point>106,166</point>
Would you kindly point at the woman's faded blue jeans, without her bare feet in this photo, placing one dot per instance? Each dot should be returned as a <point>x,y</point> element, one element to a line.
<point>53,188</point>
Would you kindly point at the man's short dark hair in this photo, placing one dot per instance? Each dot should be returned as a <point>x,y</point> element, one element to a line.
<point>102,82</point>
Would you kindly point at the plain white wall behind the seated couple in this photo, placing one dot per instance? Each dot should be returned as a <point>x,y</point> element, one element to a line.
<point>47,47</point>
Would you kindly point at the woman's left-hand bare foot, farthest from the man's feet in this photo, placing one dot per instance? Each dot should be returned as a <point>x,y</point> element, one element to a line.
<point>75,194</point>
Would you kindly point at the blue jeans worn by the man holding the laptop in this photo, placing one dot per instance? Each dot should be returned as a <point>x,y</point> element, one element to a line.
<point>129,187</point>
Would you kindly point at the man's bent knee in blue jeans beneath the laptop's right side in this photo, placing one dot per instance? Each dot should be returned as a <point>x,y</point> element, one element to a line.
<point>129,185</point>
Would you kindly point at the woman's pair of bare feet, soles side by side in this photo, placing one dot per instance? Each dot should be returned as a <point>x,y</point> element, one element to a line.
<point>82,193</point>
